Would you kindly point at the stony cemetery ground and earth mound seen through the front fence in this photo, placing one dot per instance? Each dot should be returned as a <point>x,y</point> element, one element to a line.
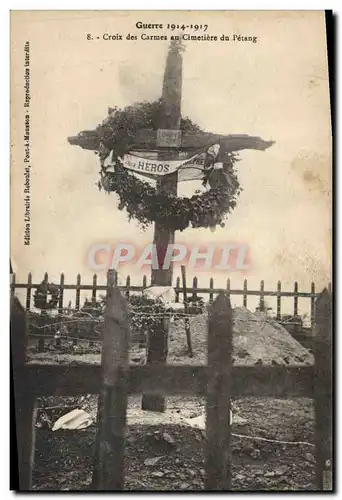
<point>165,452</point>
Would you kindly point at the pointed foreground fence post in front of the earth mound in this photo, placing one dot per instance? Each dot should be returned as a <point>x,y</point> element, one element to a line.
<point>218,450</point>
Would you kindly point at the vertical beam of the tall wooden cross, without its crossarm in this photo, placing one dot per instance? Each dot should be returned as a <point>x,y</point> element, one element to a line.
<point>170,119</point>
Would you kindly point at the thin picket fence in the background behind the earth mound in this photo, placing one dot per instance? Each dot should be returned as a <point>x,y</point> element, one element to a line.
<point>42,330</point>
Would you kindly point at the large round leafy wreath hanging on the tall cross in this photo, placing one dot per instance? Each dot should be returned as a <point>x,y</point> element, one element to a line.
<point>143,201</point>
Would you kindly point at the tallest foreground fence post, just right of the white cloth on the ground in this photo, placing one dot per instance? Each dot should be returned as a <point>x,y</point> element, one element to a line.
<point>110,470</point>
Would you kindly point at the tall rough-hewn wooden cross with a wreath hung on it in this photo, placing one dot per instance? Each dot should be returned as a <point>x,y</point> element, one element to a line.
<point>169,141</point>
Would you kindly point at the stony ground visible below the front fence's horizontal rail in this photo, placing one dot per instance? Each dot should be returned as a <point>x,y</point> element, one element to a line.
<point>170,456</point>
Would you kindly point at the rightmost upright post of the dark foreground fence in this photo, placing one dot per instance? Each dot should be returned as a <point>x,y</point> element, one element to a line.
<point>323,390</point>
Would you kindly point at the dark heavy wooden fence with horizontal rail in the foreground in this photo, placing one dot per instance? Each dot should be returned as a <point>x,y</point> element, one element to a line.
<point>218,382</point>
